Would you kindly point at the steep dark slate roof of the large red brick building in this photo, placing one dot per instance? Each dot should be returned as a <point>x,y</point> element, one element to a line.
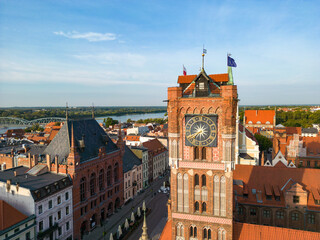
<point>88,136</point>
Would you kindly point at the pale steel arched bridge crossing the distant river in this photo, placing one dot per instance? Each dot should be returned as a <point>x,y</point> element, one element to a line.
<point>20,122</point>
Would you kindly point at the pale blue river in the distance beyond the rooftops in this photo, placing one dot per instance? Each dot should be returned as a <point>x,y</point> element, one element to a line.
<point>122,118</point>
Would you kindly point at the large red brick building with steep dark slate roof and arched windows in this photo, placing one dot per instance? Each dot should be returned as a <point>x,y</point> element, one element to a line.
<point>82,149</point>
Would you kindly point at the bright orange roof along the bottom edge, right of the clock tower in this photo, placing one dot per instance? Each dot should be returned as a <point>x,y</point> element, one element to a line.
<point>245,231</point>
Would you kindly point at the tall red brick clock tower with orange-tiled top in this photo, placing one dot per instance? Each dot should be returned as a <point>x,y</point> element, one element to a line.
<point>202,137</point>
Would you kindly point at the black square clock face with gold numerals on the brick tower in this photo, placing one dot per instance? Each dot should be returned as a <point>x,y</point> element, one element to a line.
<point>201,130</point>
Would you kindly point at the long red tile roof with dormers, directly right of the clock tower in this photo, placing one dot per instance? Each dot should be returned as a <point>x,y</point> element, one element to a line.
<point>254,177</point>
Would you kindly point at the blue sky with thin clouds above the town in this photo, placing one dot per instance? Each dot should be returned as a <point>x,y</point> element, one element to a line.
<point>123,53</point>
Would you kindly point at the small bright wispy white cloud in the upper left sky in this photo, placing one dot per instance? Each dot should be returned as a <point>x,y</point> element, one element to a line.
<point>90,36</point>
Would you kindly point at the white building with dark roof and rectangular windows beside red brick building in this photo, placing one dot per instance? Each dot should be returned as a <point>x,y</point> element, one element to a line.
<point>48,196</point>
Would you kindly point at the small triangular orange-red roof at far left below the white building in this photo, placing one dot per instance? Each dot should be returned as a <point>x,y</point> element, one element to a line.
<point>9,215</point>
